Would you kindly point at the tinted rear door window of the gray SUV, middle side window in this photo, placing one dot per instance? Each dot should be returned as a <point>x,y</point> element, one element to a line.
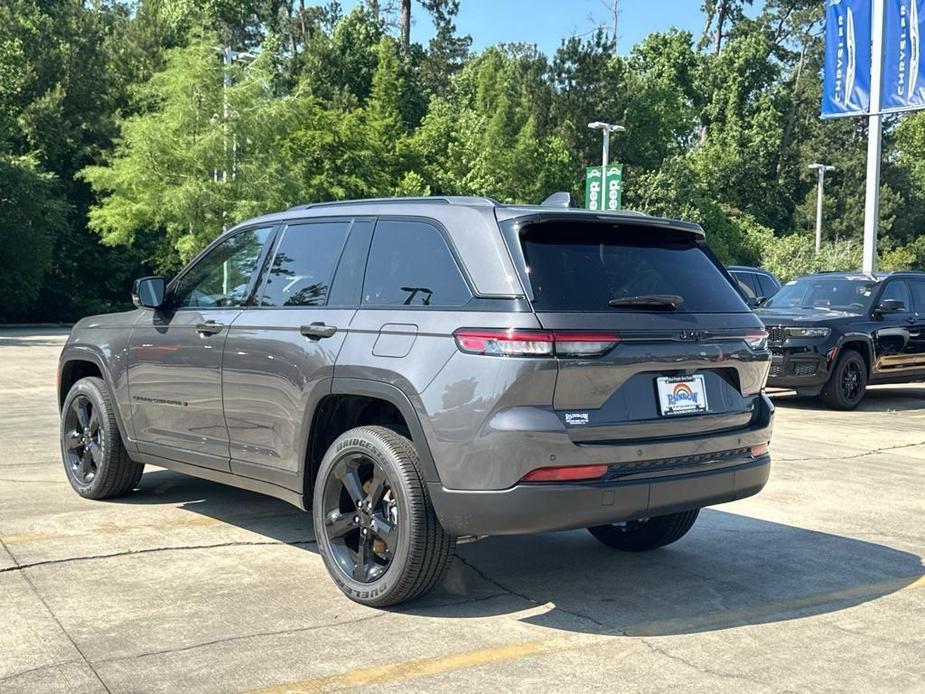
<point>300,274</point>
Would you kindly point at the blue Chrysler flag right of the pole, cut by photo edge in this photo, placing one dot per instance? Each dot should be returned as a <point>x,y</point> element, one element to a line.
<point>903,65</point>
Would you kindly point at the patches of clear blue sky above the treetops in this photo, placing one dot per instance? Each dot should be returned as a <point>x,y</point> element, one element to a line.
<point>547,22</point>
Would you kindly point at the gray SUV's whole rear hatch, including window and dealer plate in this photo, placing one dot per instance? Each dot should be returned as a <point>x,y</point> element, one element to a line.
<point>680,352</point>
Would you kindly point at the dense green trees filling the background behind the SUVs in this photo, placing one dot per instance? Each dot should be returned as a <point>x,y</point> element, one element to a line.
<point>126,144</point>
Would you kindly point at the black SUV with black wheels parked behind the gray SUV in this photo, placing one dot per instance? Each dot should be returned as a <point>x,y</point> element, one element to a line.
<point>832,334</point>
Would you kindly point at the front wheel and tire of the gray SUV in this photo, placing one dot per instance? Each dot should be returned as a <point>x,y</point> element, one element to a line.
<point>95,460</point>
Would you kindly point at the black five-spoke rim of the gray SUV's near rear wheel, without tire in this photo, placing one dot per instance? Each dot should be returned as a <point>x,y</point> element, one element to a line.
<point>361,520</point>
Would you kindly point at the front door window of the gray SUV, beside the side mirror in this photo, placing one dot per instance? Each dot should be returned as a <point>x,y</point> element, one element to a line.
<point>223,276</point>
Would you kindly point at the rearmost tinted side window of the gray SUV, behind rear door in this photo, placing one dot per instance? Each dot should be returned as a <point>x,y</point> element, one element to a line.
<point>411,265</point>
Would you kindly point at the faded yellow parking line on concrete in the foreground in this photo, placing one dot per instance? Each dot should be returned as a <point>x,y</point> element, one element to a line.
<point>426,667</point>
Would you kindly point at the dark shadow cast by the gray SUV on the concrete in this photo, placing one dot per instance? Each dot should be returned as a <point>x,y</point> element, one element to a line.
<point>730,570</point>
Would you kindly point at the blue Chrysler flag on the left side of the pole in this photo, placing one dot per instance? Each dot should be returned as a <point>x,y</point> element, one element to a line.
<point>846,86</point>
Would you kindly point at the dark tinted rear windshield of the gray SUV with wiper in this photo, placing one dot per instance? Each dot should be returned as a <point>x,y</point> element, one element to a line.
<point>586,267</point>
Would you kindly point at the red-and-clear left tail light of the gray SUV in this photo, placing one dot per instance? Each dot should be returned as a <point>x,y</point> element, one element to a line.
<point>533,343</point>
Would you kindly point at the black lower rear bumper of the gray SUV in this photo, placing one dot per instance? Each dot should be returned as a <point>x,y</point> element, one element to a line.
<point>531,508</point>
